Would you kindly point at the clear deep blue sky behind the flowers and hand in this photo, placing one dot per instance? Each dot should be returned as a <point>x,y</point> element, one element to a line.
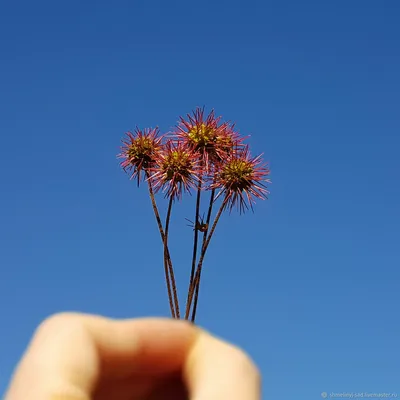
<point>309,283</point>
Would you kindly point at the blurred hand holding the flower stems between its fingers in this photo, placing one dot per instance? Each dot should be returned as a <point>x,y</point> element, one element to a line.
<point>82,357</point>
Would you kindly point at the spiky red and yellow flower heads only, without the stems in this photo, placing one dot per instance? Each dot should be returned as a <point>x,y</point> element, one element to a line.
<point>200,149</point>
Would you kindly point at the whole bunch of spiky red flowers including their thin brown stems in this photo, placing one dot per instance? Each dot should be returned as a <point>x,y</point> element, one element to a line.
<point>201,153</point>
